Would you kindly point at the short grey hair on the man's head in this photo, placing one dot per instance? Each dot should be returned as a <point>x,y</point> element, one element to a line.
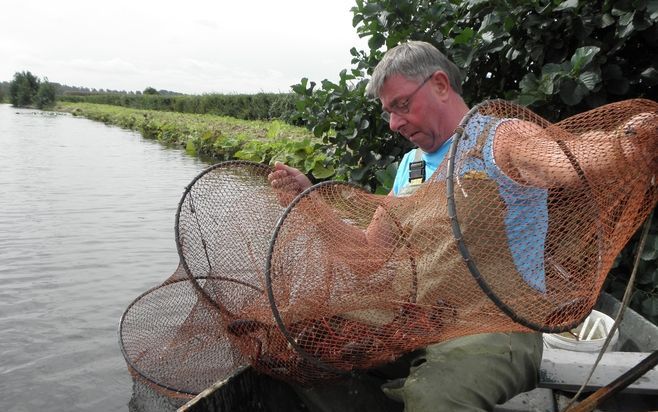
<point>414,60</point>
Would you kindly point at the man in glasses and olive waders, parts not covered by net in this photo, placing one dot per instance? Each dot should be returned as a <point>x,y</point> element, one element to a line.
<point>419,89</point>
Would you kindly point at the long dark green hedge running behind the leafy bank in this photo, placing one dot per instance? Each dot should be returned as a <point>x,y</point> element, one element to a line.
<point>260,106</point>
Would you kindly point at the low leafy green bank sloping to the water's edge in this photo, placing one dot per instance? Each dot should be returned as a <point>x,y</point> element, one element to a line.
<point>215,138</point>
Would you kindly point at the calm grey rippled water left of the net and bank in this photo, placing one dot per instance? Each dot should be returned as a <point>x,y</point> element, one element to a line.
<point>86,225</point>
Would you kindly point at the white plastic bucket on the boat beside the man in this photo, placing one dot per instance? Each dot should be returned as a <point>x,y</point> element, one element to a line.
<point>589,336</point>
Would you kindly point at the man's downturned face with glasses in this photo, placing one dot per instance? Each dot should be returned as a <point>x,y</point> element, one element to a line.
<point>414,111</point>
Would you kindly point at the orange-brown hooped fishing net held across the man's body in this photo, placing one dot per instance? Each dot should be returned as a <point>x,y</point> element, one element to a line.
<point>337,279</point>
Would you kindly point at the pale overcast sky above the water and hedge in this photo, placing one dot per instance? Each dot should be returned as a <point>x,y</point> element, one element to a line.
<point>187,46</point>
